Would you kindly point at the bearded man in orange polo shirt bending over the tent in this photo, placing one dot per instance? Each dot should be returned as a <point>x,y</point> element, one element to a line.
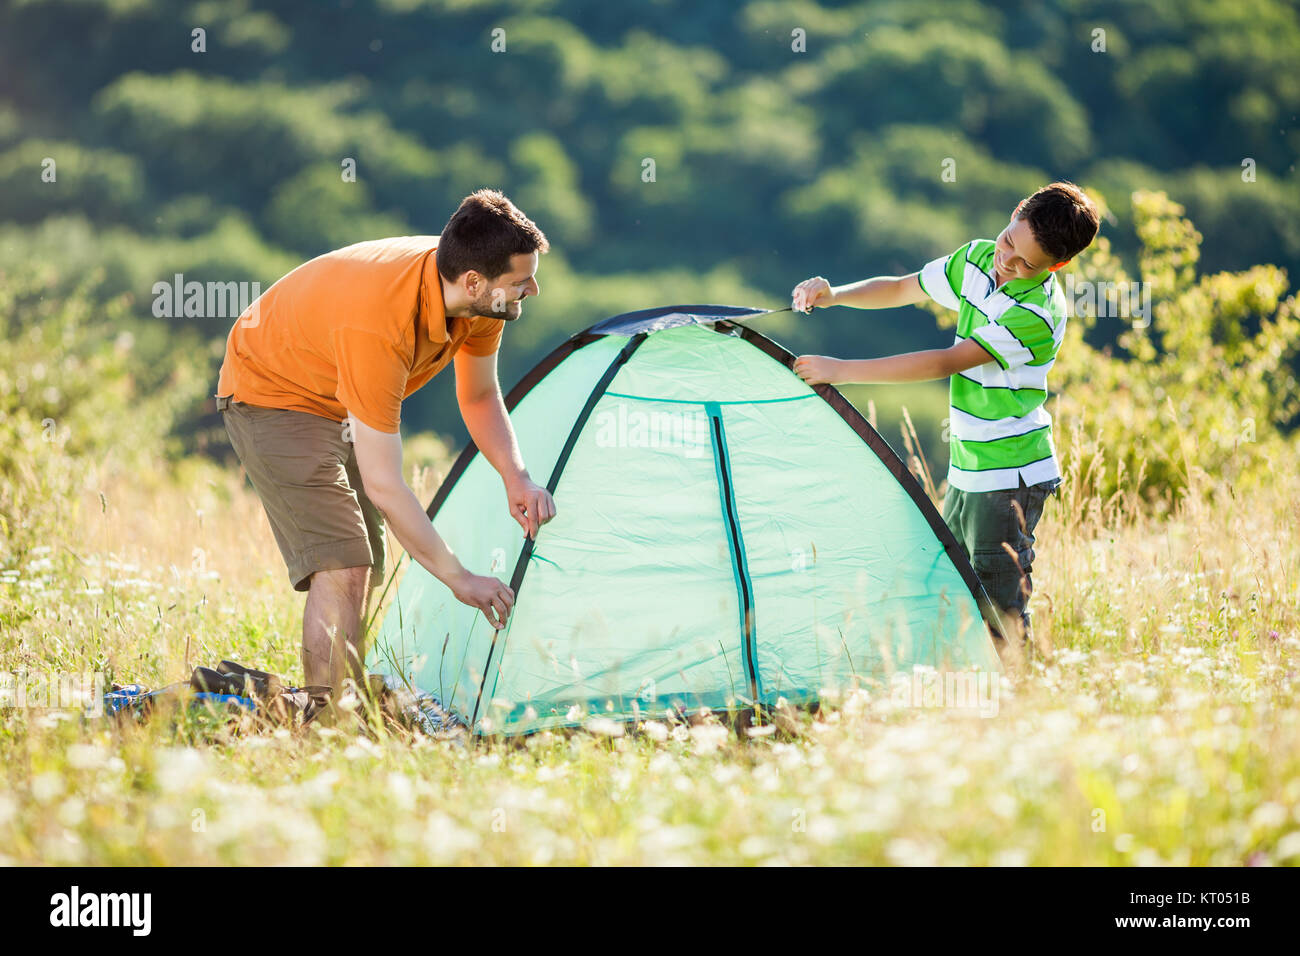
<point>311,391</point>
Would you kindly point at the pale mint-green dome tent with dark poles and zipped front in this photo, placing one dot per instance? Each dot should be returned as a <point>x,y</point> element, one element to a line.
<point>726,535</point>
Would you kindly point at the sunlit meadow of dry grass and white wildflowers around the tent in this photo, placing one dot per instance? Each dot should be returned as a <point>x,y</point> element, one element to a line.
<point>1158,724</point>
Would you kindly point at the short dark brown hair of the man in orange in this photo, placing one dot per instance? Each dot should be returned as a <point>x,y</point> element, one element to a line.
<point>484,233</point>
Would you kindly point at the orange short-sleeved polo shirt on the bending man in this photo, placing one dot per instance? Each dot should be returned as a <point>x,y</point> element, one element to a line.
<point>353,331</point>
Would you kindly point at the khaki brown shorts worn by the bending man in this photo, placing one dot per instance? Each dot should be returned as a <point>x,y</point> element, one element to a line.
<point>307,479</point>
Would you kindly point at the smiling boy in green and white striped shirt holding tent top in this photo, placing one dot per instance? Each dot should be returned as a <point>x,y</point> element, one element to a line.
<point>1011,325</point>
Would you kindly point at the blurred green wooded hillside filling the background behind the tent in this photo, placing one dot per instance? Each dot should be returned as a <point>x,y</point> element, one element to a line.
<point>770,166</point>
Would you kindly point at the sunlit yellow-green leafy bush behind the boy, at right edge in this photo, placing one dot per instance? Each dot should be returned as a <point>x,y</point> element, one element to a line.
<point>1206,388</point>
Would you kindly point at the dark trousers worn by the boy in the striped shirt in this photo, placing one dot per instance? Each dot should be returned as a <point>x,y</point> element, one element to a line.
<point>985,521</point>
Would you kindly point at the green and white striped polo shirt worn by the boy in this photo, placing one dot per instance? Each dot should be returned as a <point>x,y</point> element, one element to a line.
<point>1000,430</point>
